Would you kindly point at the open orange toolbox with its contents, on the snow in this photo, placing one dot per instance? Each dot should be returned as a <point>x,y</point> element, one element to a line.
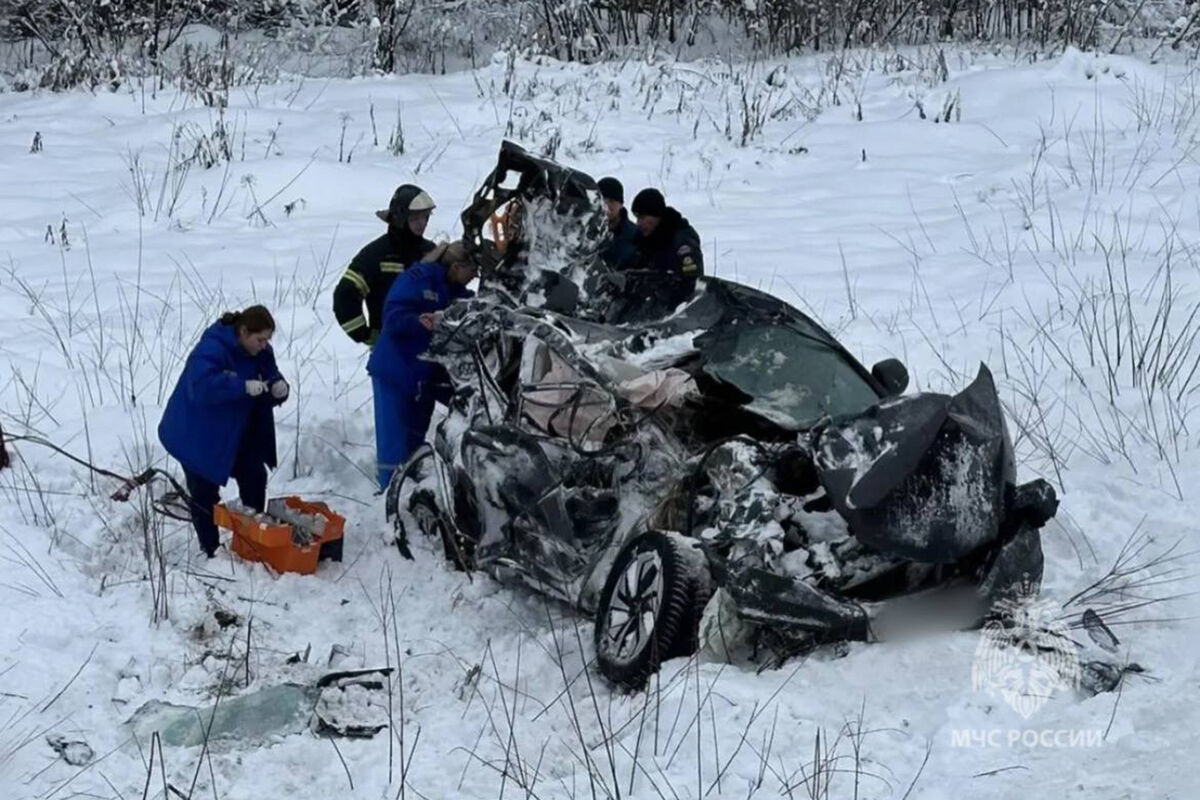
<point>292,537</point>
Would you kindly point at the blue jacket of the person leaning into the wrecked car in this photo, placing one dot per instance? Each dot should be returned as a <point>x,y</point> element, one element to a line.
<point>423,290</point>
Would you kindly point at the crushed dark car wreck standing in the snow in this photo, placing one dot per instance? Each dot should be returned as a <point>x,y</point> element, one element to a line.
<point>703,468</point>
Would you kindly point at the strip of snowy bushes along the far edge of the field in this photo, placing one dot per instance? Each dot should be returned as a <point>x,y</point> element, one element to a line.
<point>100,43</point>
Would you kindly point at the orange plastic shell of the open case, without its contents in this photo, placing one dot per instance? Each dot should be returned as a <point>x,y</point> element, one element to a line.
<point>272,544</point>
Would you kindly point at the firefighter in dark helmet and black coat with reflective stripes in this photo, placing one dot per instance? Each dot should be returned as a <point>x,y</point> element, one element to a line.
<point>373,272</point>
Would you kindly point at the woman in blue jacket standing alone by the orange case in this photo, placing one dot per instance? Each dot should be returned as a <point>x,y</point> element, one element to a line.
<point>220,420</point>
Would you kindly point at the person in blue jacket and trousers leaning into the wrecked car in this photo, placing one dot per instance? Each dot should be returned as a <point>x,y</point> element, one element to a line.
<point>406,386</point>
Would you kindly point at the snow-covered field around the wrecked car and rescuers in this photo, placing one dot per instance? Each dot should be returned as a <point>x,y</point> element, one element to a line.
<point>1036,215</point>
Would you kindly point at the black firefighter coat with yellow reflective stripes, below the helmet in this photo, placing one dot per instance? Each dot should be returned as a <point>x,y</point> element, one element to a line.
<point>370,276</point>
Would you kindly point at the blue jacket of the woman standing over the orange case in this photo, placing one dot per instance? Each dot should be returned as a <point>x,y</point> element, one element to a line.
<point>209,412</point>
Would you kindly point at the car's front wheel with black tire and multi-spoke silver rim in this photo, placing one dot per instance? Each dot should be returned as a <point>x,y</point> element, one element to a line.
<point>649,596</point>
